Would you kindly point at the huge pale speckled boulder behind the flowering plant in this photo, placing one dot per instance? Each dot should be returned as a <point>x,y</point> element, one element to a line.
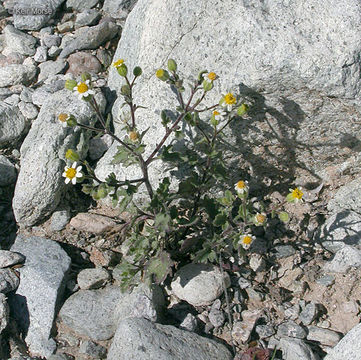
<point>296,62</point>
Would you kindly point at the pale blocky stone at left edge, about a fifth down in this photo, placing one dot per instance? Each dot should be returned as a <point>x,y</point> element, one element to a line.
<point>15,74</point>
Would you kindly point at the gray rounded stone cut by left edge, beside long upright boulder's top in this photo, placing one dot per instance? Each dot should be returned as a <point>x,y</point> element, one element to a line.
<point>12,124</point>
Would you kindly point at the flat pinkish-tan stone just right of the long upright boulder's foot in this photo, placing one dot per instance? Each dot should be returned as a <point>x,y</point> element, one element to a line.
<point>92,223</point>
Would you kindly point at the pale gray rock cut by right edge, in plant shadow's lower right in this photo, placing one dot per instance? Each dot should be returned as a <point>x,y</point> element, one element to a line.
<point>344,259</point>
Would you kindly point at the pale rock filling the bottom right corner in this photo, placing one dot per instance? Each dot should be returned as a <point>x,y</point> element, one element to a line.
<point>348,347</point>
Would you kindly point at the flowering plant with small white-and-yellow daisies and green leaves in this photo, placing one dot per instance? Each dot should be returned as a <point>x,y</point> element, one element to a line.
<point>190,222</point>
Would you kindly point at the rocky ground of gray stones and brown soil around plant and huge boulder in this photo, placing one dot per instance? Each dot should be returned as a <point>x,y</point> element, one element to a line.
<point>298,290</point>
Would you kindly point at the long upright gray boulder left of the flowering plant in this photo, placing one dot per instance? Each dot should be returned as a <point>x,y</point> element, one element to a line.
<point>40,184</point>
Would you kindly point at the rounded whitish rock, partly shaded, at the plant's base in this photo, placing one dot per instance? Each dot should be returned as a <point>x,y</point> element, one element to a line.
<point>199,284</point>
